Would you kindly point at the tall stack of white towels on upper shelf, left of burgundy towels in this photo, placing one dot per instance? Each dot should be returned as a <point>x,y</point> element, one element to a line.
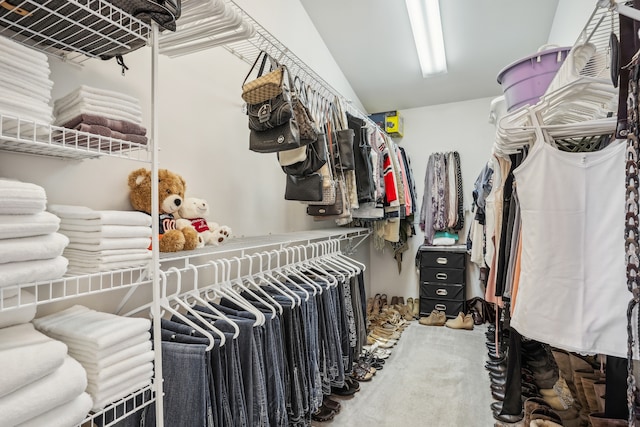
<point>25,88</point>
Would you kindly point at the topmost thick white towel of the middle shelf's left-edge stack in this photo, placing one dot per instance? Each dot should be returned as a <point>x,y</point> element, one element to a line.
<point>21,197</point>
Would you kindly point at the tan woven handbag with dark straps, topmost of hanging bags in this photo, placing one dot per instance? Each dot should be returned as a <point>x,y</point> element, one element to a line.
<point>265,86</point>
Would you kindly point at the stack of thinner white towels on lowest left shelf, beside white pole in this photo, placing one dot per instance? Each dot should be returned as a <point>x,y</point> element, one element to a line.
<point>114,350</point>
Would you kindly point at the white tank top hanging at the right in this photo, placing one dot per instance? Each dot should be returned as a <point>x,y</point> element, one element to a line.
<point>572,292</point>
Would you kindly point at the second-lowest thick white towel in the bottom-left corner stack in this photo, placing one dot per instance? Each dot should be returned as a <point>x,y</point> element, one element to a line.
<point>57,388</point>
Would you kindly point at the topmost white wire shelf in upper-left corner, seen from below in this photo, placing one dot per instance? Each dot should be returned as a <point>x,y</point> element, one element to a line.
<point>72,30</point>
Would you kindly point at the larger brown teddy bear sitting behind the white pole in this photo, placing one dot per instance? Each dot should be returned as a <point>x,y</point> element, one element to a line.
<point>171,188</point>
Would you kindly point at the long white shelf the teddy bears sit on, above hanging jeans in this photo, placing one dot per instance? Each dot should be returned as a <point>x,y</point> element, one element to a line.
<point>245,245</point>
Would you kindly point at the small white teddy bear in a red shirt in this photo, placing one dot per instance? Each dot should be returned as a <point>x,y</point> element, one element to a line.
<point>194,212</point>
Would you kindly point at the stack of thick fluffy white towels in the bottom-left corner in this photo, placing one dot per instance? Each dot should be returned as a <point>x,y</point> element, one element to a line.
<point>39,383</point>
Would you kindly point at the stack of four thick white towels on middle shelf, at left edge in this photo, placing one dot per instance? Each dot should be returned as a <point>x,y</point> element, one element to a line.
<point>30,248</point>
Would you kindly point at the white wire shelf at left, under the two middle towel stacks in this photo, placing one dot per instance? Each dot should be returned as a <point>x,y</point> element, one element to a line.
<point>72,286</point>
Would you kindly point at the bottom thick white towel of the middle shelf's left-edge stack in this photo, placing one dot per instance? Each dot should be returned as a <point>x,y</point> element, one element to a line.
<point>17,273</point>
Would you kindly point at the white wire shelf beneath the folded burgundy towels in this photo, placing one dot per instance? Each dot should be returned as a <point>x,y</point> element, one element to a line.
<point>26,136</point>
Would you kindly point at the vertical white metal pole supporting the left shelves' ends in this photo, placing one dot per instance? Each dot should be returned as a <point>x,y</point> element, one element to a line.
<point>155,257</point>
